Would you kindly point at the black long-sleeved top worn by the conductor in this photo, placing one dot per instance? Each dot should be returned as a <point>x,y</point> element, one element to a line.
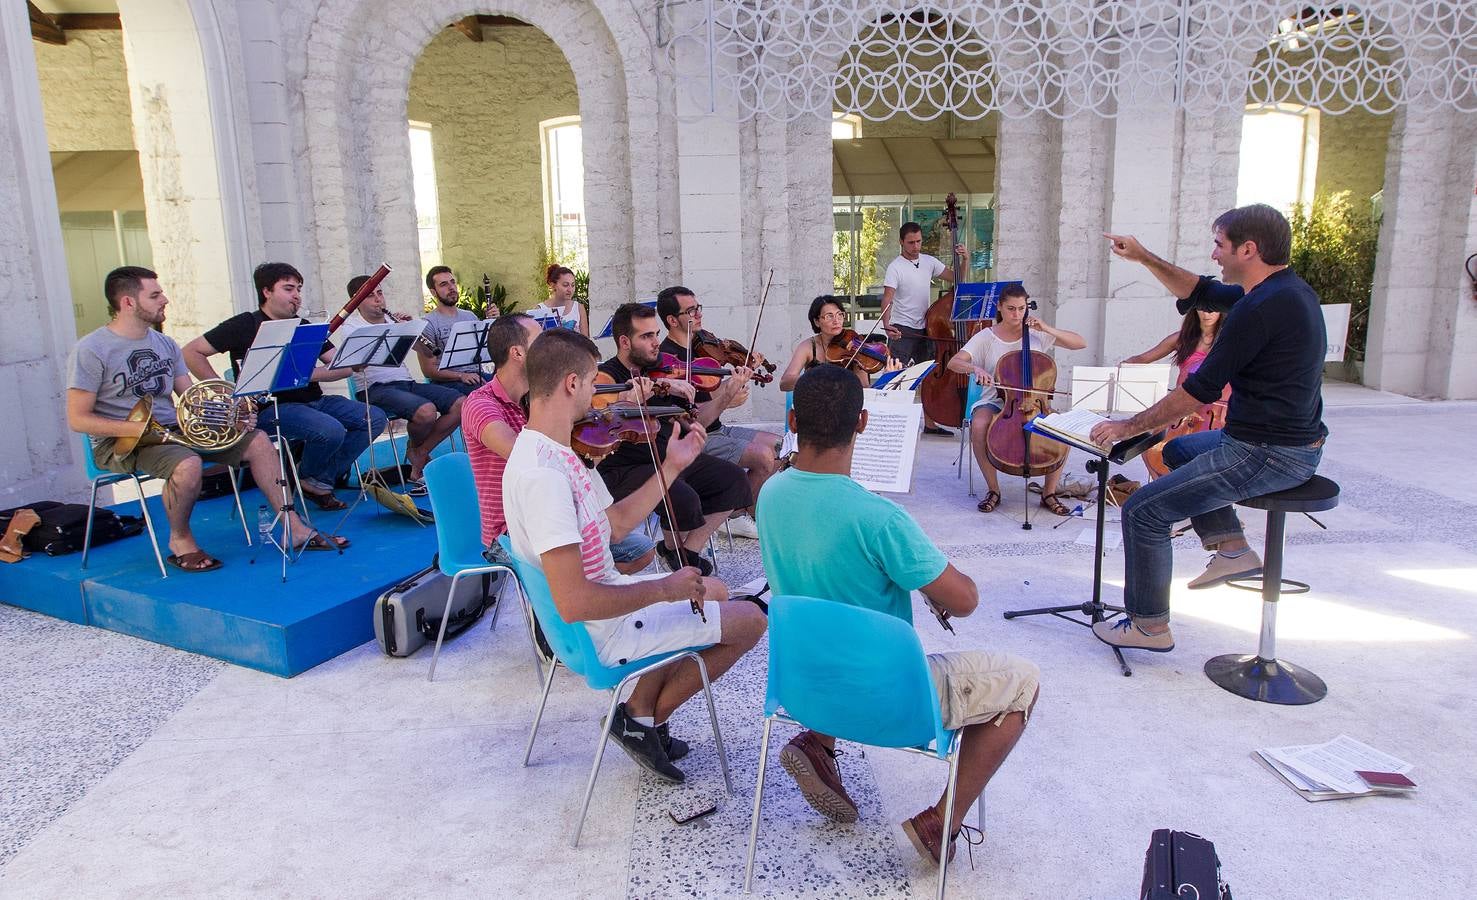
<point>1271,351</point>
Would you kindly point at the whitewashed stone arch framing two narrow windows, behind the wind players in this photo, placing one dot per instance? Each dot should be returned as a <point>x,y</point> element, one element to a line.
<point>361,174</point>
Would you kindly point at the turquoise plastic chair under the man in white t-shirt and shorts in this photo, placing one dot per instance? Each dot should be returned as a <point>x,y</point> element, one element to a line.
<point>575,651</point>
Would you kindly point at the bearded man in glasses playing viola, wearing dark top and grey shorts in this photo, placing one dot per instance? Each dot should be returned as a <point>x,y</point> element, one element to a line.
<point>751,450</point>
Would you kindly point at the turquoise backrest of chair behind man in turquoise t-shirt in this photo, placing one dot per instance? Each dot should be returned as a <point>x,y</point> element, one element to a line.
<point>851,673</point>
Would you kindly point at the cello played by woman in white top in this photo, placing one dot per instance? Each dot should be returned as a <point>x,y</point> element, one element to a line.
<point>1029,381</point>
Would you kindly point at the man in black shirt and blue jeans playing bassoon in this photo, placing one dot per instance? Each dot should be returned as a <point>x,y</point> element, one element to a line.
<point>333,429</point>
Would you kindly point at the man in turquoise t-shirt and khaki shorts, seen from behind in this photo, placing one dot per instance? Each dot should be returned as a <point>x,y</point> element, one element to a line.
<point>825,536</point>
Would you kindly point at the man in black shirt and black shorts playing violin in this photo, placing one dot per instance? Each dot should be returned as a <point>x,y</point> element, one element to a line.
<point>710,490</point>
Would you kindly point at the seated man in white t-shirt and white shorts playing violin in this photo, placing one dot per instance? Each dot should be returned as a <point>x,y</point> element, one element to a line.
<point>562,518</point>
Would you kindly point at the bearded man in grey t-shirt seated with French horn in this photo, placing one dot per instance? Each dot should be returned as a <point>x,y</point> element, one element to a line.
<point>128,360</point>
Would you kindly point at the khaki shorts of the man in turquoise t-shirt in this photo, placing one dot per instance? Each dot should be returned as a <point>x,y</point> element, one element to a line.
<point>979,686</point>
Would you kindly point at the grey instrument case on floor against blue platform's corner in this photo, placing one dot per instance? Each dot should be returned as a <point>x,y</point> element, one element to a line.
<point>410,614</point>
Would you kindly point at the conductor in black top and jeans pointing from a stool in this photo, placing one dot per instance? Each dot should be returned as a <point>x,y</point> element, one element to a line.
<point>1271,351</point>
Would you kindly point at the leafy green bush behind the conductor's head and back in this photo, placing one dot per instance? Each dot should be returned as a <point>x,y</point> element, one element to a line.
<point>1334,252</point>
